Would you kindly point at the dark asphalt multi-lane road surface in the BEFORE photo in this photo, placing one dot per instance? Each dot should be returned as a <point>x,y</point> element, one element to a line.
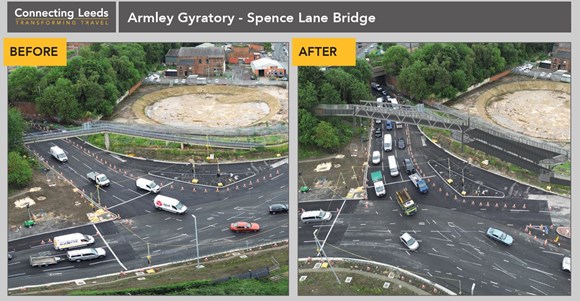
<point>248,189</point>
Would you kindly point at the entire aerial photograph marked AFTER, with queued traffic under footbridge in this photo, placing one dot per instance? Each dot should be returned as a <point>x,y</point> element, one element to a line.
<point>436,169</point>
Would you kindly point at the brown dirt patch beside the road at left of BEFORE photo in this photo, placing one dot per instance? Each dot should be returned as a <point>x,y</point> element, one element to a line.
<point>56,206</point>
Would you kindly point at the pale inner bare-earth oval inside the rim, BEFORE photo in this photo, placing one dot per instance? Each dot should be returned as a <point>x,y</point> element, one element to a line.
<point>208,110</point>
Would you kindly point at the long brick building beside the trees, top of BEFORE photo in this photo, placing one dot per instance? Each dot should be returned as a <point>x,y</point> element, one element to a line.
<point>206,61</point>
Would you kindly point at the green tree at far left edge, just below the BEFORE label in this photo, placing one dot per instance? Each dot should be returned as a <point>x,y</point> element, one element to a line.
<point>23,84</point>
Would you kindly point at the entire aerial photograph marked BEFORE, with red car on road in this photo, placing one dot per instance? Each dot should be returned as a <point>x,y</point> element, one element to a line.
<point>150,169</point>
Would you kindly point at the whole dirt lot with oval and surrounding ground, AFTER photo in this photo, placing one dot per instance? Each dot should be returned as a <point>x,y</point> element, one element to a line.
<point>537,108</point>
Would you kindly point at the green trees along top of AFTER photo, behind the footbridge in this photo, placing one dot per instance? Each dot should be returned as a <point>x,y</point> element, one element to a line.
<point>441,70</point>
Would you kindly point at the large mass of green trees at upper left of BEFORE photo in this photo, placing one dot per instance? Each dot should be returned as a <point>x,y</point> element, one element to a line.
<point>91,82</point>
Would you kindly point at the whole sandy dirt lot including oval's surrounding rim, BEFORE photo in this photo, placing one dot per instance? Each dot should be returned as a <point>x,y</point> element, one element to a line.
<point>206,106</point>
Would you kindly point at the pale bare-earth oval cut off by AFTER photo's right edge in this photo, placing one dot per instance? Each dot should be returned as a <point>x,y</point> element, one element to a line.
<point>538,113</point>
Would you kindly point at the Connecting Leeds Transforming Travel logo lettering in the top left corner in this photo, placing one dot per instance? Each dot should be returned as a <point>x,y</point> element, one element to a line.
<point>61,17</point>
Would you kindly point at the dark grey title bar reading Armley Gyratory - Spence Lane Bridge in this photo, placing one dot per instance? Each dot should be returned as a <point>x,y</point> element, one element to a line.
<point>344,17</point>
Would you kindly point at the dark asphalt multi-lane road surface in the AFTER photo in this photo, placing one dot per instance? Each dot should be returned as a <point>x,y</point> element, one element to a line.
<point>454,250</point>
